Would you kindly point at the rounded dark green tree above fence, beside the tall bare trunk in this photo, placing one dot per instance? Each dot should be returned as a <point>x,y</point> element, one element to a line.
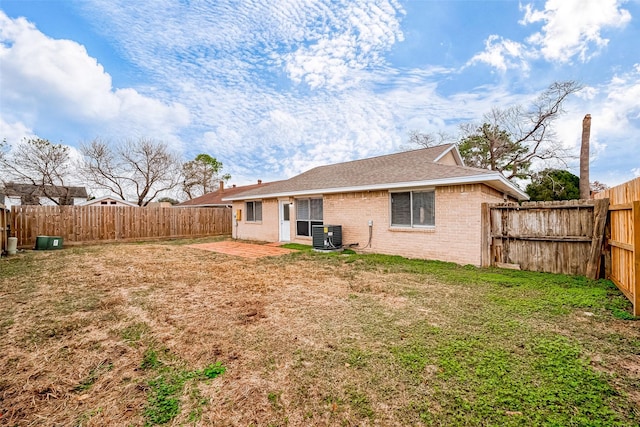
<point>554,184</point>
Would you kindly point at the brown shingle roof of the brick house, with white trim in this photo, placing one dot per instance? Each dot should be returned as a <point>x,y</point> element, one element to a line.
<point>393,171</point>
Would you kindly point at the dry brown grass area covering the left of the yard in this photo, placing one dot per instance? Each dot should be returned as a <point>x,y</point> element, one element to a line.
<point>81,323</point>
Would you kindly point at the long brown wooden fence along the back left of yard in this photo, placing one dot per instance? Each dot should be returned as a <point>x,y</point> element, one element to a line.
<point>77,224</point>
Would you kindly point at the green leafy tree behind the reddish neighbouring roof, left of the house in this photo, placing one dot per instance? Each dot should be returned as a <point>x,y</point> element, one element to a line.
<point>202,175</point>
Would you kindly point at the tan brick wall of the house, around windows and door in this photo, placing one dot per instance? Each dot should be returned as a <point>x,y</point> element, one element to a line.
<point>455,237</point>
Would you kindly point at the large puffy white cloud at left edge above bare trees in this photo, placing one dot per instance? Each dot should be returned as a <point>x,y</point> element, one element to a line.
<point>43,76</point>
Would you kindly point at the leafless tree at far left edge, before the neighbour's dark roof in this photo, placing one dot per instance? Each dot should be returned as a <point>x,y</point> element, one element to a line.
<point>40,163</point>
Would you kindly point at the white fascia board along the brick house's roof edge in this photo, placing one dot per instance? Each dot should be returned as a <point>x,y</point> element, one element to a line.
<point>504,185</point>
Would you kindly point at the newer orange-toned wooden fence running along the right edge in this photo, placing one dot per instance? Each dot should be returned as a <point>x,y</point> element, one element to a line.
<point>622,248</point>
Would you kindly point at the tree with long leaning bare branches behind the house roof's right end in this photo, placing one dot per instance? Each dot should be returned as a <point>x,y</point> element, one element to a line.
<point>511,139</point>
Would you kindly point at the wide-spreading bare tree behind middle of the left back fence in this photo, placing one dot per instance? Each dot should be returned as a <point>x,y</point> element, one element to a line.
<point>139,169</point>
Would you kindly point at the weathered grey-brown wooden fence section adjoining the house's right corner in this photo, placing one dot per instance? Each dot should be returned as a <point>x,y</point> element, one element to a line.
<point>556,237</point>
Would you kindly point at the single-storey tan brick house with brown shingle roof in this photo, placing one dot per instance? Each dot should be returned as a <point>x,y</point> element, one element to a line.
<point>419,204</point>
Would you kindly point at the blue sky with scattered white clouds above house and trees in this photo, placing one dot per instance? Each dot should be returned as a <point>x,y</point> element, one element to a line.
<point>275,88</point>
